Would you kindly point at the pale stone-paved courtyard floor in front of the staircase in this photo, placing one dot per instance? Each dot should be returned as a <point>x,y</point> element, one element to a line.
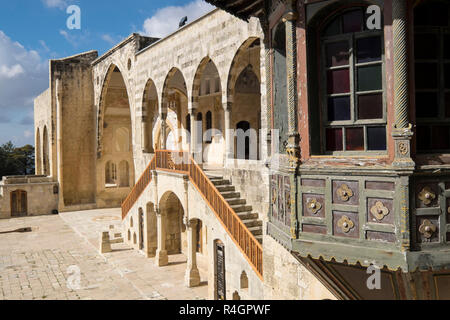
<point>44,264</point>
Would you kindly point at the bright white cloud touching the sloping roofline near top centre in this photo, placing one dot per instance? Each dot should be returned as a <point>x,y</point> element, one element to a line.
<point>166,20</point>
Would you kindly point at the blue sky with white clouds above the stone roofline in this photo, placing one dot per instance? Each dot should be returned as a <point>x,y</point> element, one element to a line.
<point>33,31</point>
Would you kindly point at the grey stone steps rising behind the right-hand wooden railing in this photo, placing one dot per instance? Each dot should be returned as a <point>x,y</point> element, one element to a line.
<point>239,205</point>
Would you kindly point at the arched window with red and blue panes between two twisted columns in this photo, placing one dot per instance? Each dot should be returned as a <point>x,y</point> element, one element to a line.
<point>352,102</point>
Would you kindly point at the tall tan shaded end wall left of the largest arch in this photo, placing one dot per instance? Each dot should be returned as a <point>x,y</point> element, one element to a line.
<point>75,134</point>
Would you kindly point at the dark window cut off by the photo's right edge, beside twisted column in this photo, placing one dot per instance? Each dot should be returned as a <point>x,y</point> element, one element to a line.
<point>432,76</point>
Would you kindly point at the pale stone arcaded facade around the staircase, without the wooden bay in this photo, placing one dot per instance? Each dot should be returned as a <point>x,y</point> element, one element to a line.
<point>105,117</point>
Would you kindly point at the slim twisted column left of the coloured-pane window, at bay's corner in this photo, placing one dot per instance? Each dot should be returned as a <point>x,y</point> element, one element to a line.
<point>290,18</point>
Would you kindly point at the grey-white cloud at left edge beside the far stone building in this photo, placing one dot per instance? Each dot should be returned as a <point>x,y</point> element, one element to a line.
<point>23,76</point>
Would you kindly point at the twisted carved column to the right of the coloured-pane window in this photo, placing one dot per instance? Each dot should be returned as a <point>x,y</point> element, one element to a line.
<point>402,132</point>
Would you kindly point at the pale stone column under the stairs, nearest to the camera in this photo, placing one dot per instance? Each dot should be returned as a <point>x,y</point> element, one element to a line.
<point>192,277</point>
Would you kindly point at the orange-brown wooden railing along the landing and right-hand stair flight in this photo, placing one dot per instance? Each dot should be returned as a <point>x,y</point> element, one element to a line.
<point>181,162</point>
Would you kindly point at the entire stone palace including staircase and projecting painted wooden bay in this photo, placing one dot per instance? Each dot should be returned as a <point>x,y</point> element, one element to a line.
<point>296,146</point>
